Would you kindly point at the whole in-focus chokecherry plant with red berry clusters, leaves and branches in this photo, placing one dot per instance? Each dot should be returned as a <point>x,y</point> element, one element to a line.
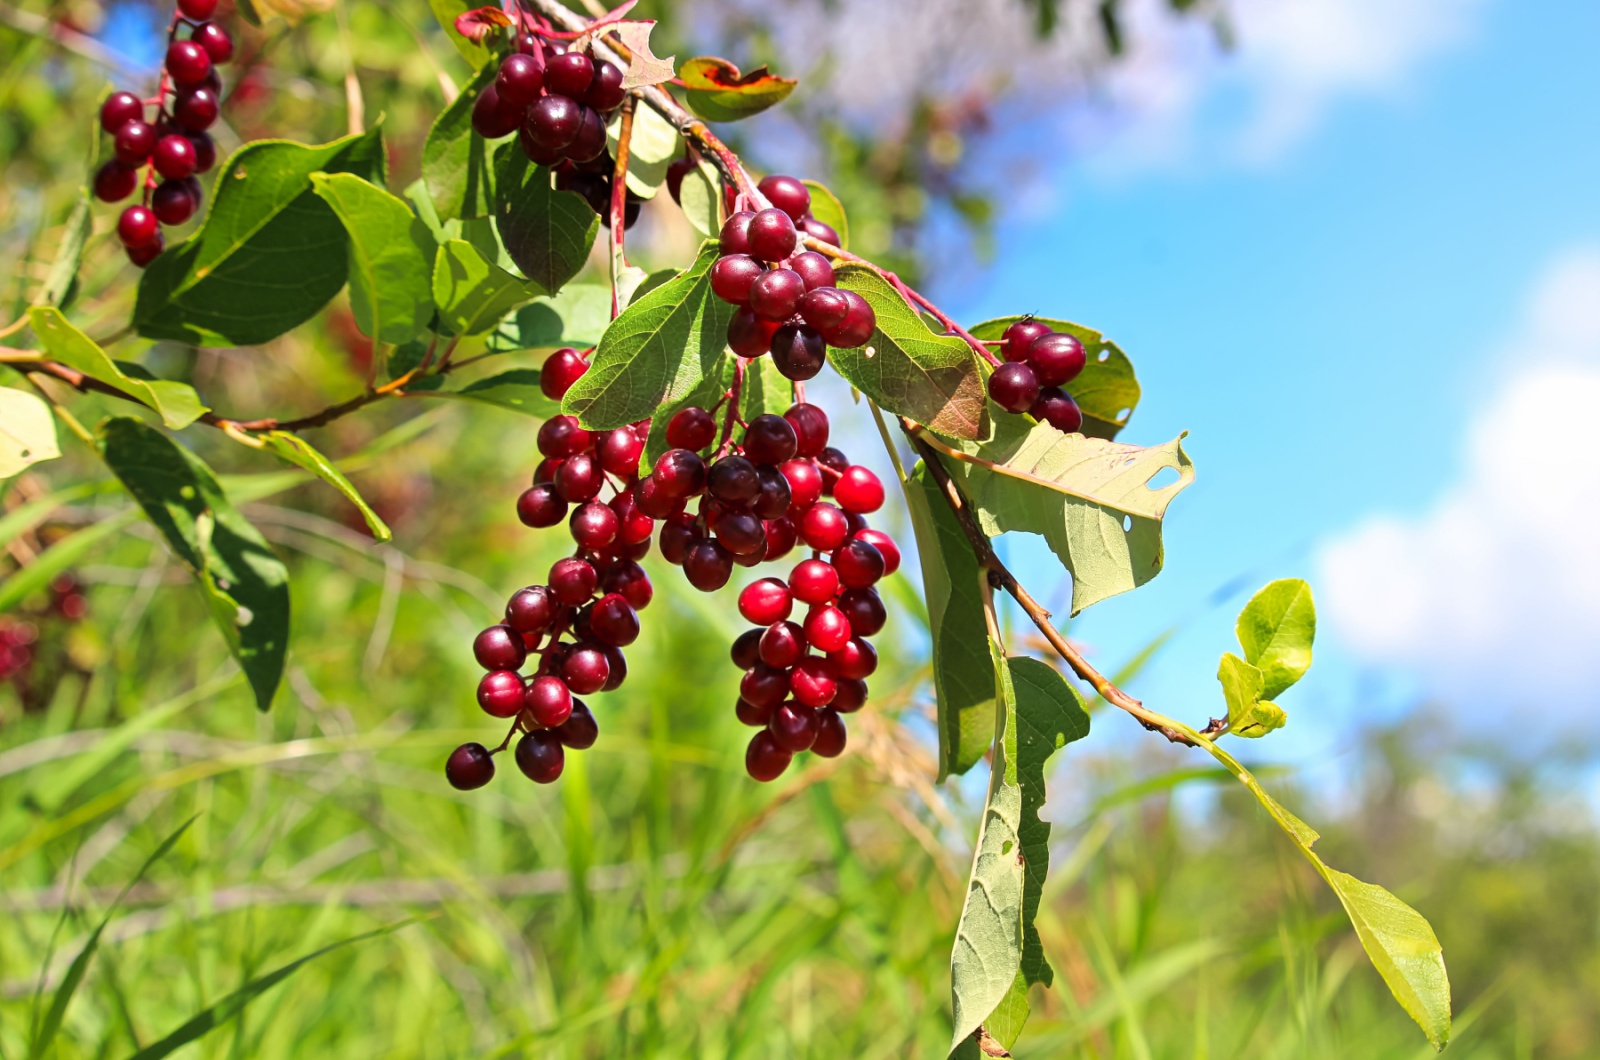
<point>679,424</point>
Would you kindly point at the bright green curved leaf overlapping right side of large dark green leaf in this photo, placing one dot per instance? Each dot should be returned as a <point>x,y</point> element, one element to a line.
<point>391,257</point>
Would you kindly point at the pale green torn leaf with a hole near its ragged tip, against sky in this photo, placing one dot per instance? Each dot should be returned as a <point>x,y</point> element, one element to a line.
<point>1087,497</point>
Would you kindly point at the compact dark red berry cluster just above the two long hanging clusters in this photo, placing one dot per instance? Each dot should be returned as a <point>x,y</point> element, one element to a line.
<point>788,302</point>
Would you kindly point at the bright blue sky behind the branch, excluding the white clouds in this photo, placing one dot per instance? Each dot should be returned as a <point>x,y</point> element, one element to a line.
<point>1327,315</point>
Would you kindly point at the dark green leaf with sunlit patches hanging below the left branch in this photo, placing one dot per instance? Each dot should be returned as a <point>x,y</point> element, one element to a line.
<point>246,585</point>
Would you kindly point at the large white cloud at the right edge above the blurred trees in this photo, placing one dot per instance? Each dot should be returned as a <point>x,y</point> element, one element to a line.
<point>1494,596</point>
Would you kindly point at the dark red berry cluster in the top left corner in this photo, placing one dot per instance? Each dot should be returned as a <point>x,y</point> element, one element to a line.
<point>175,147</point>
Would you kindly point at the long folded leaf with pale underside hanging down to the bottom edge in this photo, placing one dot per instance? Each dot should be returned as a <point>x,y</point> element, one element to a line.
<point>996,942</point>
